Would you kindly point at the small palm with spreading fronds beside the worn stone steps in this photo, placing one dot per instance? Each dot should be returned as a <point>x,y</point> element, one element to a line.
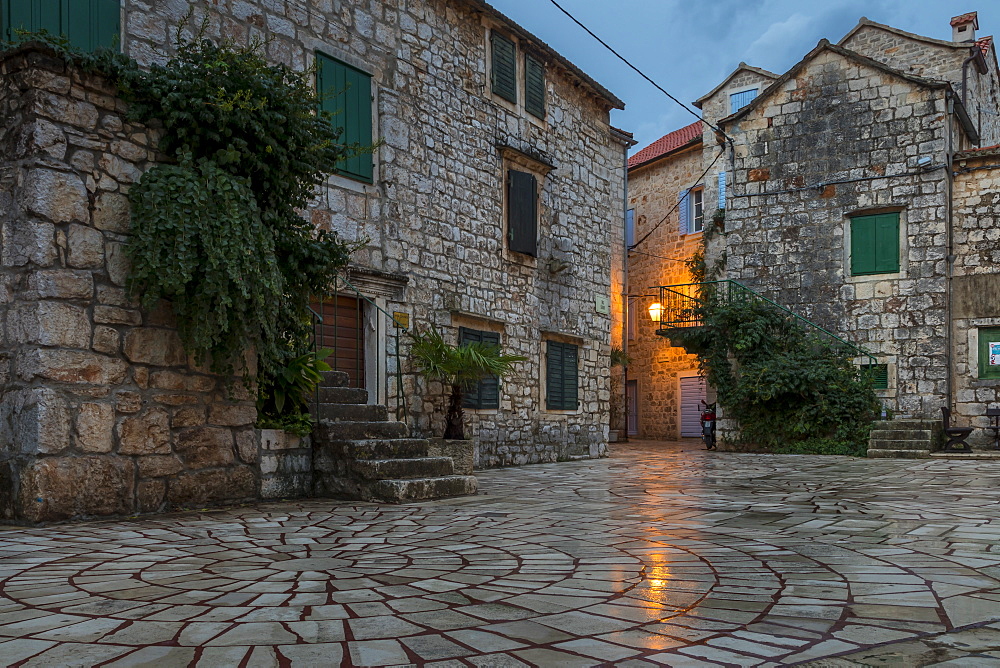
<point>457,367</point>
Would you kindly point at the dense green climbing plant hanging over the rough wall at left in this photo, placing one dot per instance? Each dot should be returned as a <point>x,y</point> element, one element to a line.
<point>216,227</point>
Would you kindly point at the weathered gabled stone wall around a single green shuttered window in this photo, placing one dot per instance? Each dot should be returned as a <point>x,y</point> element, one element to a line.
<point>840,120</point>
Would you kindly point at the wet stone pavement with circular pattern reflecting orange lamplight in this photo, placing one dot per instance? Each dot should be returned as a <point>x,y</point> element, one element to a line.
<point>663,554</point>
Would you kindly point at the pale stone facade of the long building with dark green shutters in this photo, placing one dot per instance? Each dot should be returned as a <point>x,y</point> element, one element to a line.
<point>435,211</point>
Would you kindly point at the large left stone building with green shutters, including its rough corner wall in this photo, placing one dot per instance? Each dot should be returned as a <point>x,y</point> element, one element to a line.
<point>492,207</point>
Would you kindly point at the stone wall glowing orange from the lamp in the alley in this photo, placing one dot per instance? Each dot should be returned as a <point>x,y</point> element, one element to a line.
<point>656,366</point>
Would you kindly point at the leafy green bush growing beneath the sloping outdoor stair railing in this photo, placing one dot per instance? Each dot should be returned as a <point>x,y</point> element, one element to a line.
<point>790,390</point>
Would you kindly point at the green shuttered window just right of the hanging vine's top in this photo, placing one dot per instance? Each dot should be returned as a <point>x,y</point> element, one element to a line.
<point>346,94</point>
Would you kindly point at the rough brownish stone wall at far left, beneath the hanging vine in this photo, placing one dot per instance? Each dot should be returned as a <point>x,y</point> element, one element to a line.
<point>101,412</point>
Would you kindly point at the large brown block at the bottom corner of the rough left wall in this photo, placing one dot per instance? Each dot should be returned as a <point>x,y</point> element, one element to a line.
<point>61,488</point>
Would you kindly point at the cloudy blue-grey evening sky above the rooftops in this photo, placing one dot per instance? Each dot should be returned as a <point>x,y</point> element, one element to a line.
<point>688,47</point>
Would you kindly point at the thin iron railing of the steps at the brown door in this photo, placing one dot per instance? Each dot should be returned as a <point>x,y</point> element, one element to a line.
<point>393,373</point>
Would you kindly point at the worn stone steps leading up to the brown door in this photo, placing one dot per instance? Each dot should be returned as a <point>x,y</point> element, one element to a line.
<point>358,453</point>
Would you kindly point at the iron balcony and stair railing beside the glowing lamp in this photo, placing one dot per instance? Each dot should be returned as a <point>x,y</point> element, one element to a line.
<point>680,307</point>
